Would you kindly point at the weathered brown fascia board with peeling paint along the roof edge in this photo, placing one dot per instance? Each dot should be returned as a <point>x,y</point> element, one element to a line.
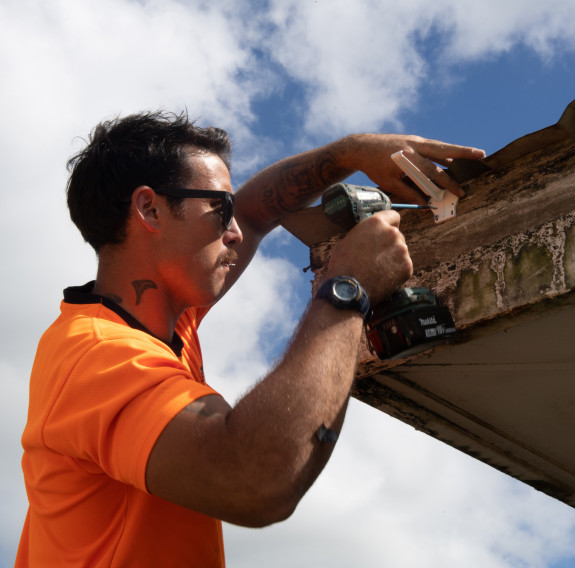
<point>511,244</point>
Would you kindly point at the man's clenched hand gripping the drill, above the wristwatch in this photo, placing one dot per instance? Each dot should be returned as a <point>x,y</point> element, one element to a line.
<point>374,253</point>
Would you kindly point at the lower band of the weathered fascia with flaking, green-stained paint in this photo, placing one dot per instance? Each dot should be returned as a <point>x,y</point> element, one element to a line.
<point>517,270</point>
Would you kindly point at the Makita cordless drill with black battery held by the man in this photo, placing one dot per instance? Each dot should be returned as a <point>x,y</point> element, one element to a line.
<point>412,320</point>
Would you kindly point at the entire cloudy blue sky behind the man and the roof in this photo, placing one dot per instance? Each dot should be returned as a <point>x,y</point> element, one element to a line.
<point>281,76</point>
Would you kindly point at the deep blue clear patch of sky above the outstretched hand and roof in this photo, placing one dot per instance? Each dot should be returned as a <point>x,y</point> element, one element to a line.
<point>496,101</point>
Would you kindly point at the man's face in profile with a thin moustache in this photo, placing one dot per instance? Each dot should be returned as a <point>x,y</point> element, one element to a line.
<point>195,249</point>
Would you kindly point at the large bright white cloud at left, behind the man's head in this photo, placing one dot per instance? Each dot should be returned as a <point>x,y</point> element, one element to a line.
<point>67,65</point>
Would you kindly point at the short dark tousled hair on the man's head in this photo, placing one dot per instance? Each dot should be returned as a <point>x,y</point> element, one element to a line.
<point>141,149</point>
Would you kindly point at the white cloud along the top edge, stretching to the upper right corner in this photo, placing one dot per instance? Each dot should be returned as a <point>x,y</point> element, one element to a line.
<point>363,64</point>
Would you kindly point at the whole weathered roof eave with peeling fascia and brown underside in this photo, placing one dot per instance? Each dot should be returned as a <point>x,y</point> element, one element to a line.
<point>504,390</point>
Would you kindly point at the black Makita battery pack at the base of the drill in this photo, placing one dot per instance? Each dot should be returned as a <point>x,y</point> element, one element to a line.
<point>412,321</point>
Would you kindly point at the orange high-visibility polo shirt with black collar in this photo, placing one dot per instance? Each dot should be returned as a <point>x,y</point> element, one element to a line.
<point>102,390</point>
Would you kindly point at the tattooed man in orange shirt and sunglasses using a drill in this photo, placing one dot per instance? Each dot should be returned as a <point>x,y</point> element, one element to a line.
<point>130,458</point>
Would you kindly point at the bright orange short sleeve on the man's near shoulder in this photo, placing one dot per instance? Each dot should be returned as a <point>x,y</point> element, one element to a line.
<point>115,403</point>
